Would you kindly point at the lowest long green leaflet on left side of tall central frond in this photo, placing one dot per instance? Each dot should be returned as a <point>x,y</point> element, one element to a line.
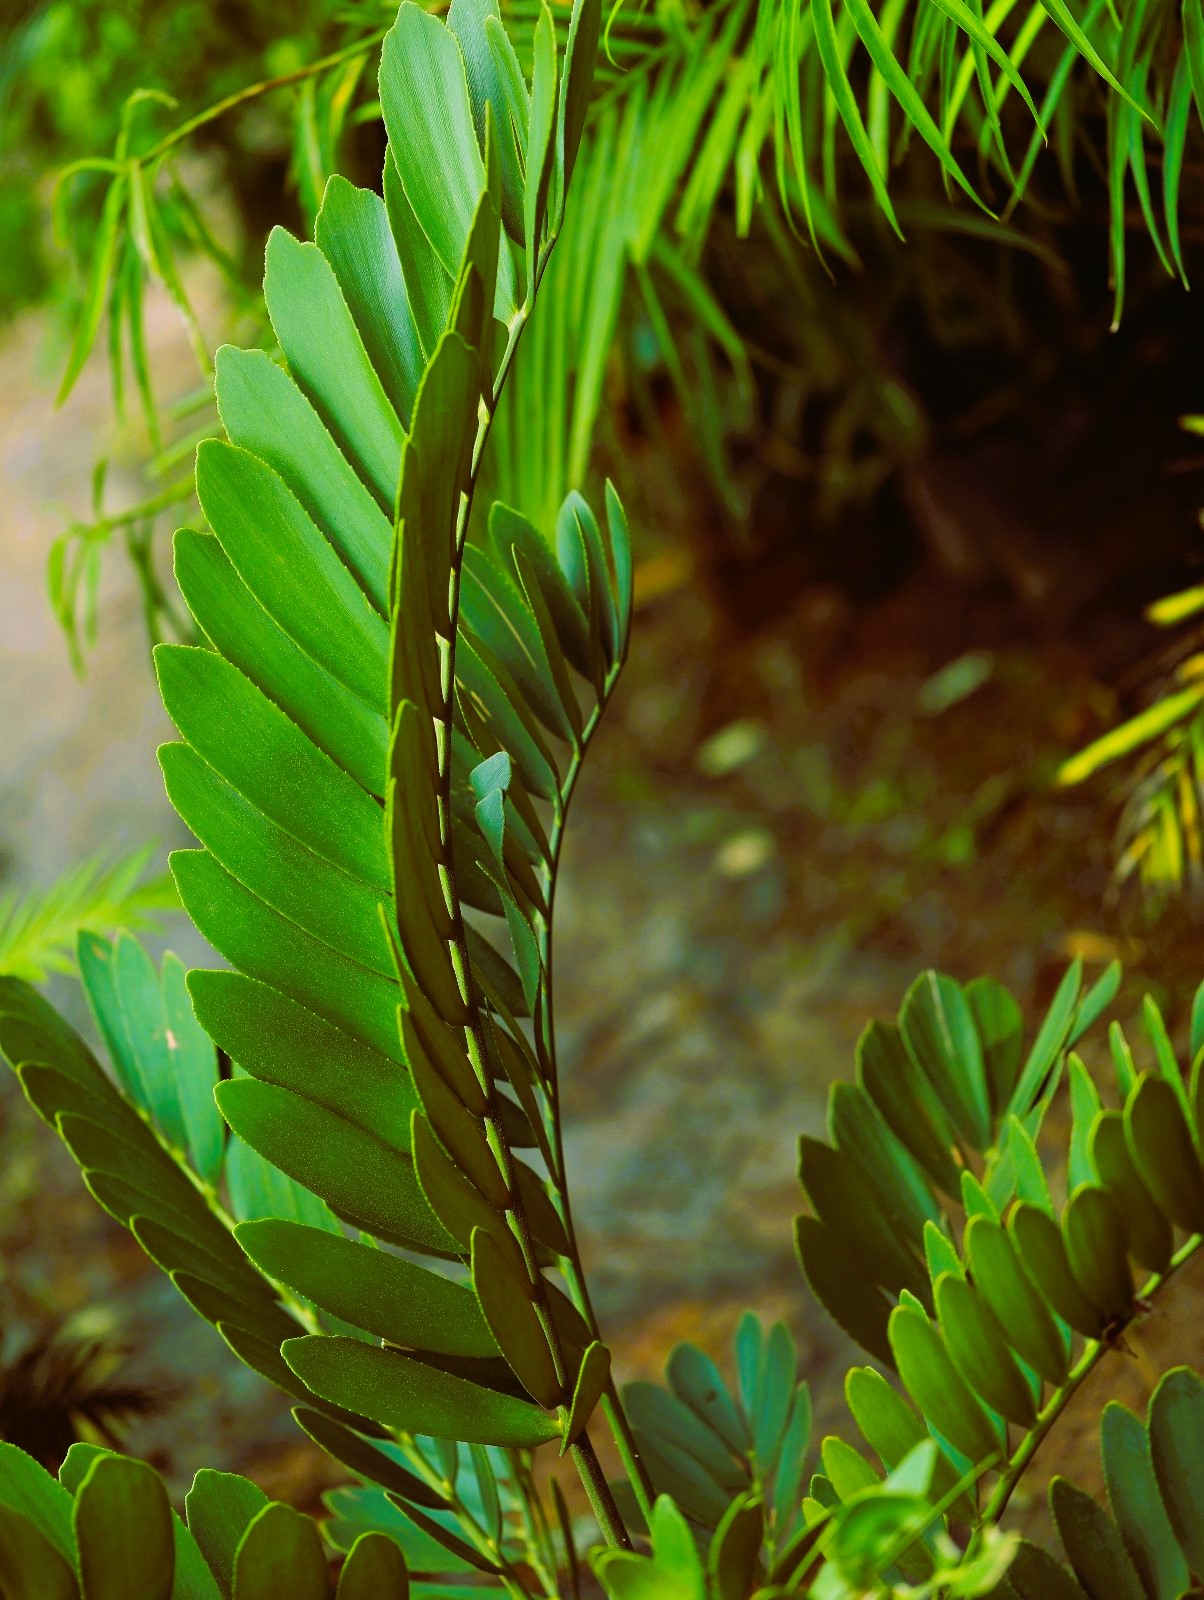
<point>401,1393</point>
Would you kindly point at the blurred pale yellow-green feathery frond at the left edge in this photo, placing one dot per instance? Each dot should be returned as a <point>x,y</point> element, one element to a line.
<point>39,927</point>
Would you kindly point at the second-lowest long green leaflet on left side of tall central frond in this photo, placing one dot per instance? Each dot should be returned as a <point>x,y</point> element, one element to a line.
<point>375,1290</point>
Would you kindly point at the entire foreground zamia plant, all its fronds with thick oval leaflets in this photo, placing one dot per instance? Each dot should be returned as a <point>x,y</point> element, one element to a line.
<point>345,1148</point>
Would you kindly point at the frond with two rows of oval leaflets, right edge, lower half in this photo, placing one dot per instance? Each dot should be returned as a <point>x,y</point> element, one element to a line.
<point>936,1241</point>
